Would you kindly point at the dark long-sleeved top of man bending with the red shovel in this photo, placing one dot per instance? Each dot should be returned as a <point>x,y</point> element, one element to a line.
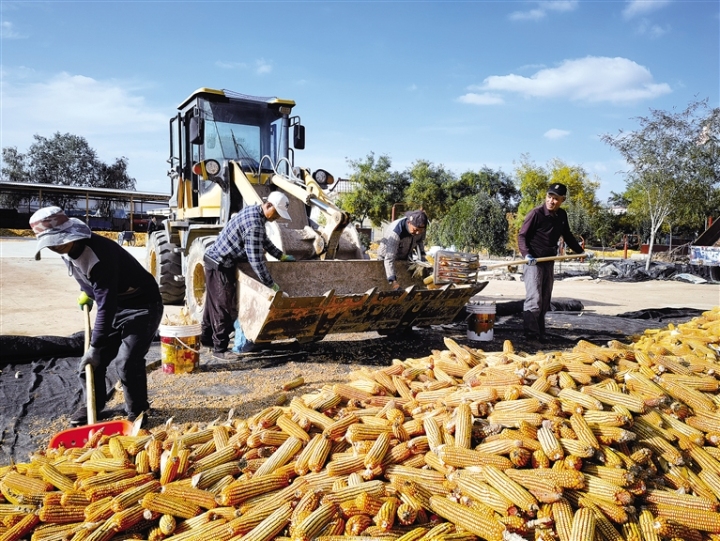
<point>110,275</point>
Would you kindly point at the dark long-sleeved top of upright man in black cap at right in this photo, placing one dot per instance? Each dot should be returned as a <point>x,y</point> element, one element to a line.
<point>541,231</point>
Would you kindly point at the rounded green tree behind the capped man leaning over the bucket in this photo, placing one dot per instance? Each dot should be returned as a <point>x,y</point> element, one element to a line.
<point>430,189</point>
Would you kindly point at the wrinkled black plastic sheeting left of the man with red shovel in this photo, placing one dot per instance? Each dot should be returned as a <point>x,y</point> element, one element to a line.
<point>39,380</point>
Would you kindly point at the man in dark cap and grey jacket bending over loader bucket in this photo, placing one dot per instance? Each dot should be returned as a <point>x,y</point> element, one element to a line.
<point>401,239</point>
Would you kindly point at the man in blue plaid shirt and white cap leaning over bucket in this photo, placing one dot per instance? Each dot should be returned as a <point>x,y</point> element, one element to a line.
<point>242,239</point>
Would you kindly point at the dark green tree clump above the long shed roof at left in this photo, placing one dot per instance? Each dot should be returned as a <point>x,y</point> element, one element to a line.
<point>66,160</point>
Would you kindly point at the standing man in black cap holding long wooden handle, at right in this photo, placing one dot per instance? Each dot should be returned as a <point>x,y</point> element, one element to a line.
<point>539,237</point>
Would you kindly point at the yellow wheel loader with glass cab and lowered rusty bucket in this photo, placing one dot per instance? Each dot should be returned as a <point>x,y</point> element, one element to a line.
<point>228,150</point>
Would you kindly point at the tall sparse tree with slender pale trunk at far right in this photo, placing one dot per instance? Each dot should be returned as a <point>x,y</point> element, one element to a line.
<point>669,157</point>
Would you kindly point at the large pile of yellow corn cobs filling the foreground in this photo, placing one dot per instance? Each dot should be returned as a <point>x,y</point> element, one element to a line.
<point>609,443</point>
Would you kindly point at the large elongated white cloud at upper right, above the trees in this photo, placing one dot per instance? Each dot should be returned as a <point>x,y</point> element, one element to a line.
<point>591,79</point>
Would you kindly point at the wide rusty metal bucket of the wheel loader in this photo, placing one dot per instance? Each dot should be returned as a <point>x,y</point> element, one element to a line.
<point>342,296</point>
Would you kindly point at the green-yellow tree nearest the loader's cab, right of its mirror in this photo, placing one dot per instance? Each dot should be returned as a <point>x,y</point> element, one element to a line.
<point>376,189</point>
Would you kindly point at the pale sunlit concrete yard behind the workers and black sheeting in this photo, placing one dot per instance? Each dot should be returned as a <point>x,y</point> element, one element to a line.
<point>38,297</point>
